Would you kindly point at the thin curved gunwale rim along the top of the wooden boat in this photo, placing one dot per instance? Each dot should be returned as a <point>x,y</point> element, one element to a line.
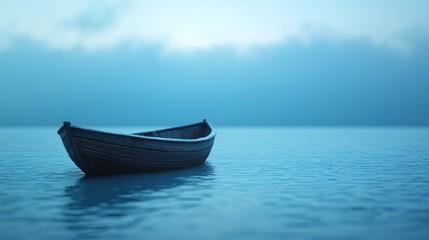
<point>143,137</point>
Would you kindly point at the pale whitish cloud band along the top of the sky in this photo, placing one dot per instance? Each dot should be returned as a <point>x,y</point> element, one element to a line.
<point>191,25</point>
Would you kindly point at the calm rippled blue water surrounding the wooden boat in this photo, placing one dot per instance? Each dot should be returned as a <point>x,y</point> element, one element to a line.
<point>258,183</point>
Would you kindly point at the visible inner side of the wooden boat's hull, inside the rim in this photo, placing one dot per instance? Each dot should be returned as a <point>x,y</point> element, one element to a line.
<point>194,131</point>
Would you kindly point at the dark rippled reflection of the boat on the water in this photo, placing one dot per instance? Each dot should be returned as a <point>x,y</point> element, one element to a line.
<point>103,207</point>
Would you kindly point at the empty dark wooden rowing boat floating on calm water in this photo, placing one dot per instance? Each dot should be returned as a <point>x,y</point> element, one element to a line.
<point>103,153</point>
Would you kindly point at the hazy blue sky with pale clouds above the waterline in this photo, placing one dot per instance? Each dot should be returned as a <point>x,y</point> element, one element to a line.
<point>235,63</point>
